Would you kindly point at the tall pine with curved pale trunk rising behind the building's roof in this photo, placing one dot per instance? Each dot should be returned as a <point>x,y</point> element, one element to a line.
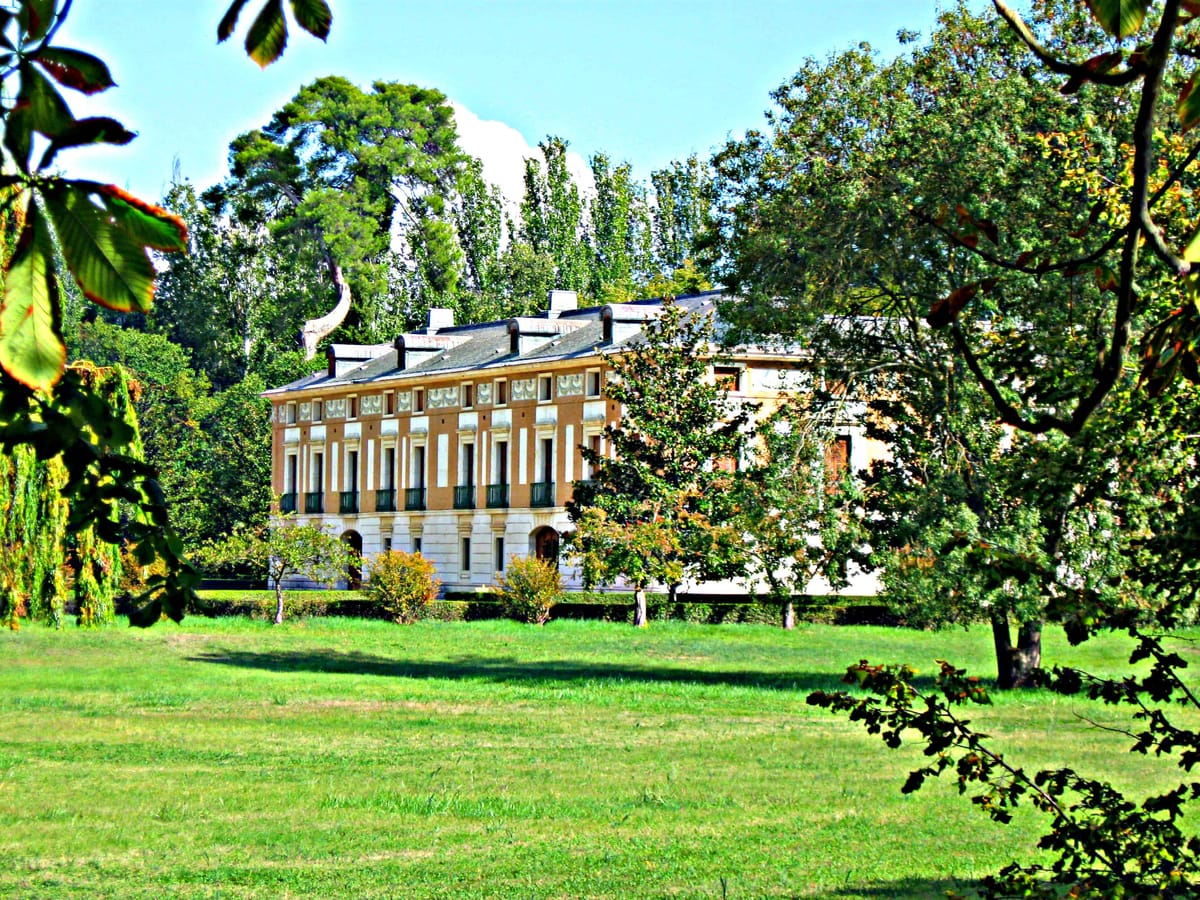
<point>341,170</point>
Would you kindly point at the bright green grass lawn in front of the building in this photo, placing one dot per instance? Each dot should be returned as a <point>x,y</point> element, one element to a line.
<point>361,759</point>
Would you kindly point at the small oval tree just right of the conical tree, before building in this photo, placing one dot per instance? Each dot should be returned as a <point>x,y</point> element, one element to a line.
<point>799,508</point>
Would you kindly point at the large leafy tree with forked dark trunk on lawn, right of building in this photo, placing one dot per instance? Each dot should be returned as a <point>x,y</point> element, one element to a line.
<point>877,199</point>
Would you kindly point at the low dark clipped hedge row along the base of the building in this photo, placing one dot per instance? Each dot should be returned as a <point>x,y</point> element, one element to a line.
<point>607,608</point>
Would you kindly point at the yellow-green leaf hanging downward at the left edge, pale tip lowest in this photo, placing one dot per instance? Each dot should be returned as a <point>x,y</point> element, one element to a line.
<point>32,347</point>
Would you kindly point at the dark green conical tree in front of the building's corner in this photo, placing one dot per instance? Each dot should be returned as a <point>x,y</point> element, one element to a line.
<point>657,509</point>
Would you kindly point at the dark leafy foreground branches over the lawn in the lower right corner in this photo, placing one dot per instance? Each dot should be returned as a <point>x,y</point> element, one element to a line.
<point>1105,845</point>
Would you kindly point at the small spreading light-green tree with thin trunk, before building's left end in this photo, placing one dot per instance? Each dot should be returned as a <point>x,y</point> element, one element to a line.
<point>286,551</point>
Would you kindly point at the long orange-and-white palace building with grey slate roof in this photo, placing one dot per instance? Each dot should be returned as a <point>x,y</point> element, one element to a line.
<point>464,442</point>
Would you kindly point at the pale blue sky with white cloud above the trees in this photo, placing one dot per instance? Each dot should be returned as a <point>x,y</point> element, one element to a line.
<point>644,81</point>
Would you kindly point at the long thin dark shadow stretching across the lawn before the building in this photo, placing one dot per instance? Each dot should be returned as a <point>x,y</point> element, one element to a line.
<point>508,669</point>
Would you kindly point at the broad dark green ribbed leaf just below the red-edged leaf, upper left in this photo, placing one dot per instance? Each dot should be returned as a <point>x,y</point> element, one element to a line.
<point>111,267</point>
